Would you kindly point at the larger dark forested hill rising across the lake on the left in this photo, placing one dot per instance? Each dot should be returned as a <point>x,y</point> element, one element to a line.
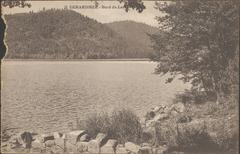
<point>61,34</point>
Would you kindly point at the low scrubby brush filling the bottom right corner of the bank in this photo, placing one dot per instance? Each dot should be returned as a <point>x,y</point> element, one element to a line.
<point>202,135</point>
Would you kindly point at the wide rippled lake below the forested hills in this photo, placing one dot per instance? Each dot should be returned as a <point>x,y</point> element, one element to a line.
<point>45,96</point>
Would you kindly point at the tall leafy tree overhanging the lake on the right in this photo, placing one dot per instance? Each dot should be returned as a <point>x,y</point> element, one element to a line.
<point>199,40</point>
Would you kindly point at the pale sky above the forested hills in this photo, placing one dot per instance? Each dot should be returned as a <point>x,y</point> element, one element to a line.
<point>100,14</point>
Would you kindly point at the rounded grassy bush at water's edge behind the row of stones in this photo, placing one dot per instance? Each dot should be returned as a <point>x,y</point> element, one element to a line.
<point>122,125</point>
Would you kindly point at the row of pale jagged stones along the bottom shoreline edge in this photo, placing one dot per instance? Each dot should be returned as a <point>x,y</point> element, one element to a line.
<point>74,142</point>
